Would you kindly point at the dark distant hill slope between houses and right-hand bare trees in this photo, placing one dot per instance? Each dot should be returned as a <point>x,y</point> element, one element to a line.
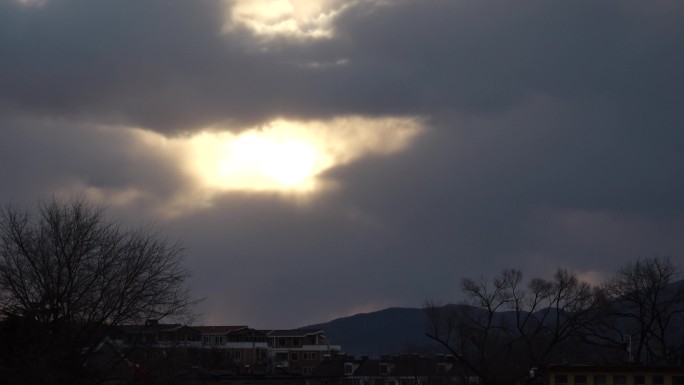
<point>388,331</point>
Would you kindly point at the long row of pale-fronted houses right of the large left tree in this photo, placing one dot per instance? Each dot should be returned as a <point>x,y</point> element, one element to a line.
<point>225,350</point>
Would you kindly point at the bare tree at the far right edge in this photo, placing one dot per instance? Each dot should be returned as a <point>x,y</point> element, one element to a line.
<point>648,302</point>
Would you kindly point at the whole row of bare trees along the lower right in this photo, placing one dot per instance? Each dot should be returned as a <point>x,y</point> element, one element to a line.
<point>509,325</point>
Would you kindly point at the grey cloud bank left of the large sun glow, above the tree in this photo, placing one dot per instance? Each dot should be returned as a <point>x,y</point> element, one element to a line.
<point>41,157</point>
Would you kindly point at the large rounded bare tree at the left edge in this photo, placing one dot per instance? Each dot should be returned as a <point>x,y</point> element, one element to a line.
<point>67,273</point>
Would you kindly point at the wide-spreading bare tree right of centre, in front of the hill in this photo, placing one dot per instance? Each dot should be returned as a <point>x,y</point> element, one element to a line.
<point>506,326</point>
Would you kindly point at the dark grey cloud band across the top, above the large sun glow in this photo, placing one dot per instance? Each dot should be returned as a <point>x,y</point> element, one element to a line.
<point>166,64</point>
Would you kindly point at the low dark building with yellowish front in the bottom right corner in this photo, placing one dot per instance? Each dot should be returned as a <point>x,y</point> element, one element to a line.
<point>629,374</point>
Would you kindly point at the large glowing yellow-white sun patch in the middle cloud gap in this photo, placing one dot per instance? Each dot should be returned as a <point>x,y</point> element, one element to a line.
<point>284,156</point>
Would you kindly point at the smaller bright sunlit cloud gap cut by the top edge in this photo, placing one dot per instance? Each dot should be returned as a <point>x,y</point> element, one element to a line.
<point>298,18</point>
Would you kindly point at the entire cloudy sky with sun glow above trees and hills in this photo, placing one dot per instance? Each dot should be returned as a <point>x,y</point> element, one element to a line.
<point>319,159</point>
